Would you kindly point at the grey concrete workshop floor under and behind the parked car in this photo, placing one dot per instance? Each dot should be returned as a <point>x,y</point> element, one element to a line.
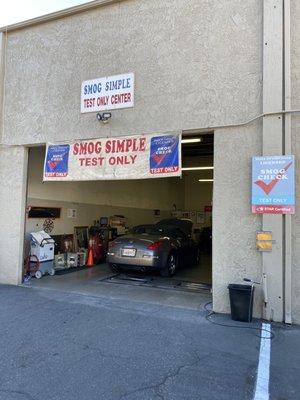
<point>93,281</point>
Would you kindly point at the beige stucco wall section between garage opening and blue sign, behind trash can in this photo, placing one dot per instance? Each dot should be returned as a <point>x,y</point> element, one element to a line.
<point>234,226</point>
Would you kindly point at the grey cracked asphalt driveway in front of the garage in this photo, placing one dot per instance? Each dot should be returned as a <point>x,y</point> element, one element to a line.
<point>59,345</point>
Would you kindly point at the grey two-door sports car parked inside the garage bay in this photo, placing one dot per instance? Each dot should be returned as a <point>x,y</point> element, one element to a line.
<point>163,246</point>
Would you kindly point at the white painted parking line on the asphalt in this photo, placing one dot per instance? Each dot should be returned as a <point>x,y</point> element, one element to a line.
<point>263,371</point>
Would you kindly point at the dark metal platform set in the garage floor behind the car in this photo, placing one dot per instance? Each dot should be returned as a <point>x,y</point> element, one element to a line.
<point>154,282</point>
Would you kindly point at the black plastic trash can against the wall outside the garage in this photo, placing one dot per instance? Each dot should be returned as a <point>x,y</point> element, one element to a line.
<point>241,302</point>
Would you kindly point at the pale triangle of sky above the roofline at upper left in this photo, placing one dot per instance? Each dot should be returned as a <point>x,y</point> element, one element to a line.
<point>12,11</point>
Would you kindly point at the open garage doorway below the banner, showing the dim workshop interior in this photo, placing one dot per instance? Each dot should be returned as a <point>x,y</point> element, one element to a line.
<point>80,216</point>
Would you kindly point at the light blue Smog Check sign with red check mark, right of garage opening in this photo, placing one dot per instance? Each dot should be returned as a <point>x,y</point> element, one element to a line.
<point>273,185</point>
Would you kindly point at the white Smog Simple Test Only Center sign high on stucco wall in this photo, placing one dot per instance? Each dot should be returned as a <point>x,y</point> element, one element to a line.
<point>107,93</point>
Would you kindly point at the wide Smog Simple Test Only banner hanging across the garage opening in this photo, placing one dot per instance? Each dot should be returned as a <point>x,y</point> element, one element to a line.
<point>134,157</point>
